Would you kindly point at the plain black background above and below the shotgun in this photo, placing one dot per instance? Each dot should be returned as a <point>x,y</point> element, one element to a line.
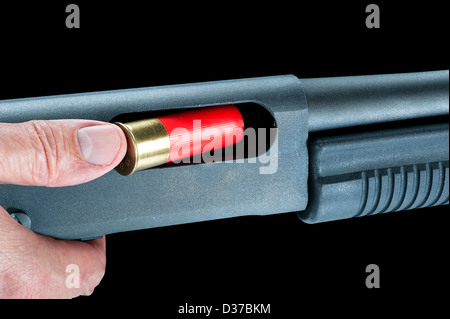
<point>273,259</point>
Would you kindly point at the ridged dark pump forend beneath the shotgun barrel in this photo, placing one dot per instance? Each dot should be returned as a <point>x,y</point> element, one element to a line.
<point>378,172</point>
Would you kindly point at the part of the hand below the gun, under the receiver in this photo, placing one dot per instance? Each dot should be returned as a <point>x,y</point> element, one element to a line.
<point>36,266</point>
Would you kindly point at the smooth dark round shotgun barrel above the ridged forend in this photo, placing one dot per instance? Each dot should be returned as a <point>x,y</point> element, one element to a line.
<point>339,102</point>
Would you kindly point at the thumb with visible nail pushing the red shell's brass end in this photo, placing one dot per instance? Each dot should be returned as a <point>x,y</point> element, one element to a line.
<point>58,152</point>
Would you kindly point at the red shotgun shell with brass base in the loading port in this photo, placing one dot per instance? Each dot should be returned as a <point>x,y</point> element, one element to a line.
<point>172,137</point>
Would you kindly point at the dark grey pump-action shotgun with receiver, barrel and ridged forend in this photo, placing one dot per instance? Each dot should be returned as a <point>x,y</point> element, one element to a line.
<point>345,147</point>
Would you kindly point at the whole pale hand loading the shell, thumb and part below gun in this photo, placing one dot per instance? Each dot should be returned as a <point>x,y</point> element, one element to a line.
<point>52,154</point>
